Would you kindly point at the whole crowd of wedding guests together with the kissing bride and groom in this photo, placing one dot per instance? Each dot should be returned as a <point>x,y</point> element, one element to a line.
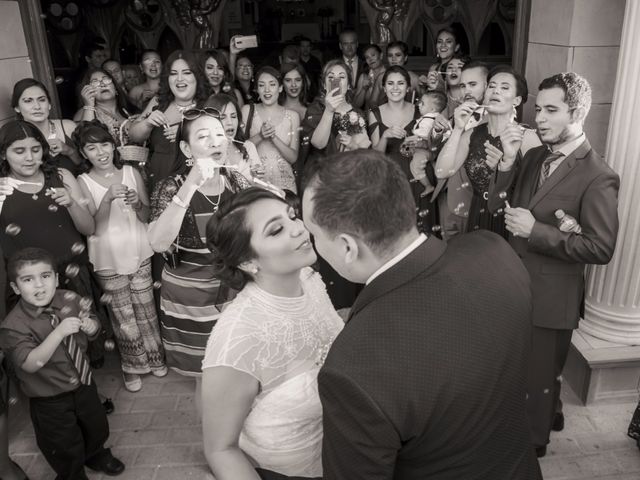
<point>167,217</point>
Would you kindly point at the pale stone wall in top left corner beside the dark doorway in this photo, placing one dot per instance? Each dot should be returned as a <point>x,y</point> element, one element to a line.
<point>14,57</point>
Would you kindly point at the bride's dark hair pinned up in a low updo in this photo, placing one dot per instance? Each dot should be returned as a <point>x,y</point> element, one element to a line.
<point>229,236</point>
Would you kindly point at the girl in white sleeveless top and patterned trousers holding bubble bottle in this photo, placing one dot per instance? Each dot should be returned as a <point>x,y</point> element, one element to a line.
<point>120,252</point>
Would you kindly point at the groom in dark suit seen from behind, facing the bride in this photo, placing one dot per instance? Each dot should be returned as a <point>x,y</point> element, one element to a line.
<point>427,379</point>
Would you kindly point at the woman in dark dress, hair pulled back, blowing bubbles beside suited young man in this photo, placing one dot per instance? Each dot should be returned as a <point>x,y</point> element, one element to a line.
<point>479,150</point>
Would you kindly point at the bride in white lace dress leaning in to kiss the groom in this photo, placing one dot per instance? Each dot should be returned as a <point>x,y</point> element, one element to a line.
<point>259,388</point>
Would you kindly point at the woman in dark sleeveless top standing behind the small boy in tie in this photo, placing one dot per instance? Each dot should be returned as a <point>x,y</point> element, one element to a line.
<point>43,207</point>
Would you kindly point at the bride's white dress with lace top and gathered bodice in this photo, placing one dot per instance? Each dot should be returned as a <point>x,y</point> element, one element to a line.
<point>282,342</point>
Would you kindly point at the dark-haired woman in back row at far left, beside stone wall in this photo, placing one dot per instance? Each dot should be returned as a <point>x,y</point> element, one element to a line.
<point>31,102</point>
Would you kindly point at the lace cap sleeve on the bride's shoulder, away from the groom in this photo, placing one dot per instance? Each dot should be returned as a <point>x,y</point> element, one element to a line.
<point>235,342</point>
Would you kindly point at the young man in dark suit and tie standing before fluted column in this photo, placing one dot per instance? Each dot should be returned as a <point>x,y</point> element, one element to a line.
<point>563,174</point>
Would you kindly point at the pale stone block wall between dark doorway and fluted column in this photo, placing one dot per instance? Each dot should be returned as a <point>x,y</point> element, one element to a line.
<point>581,36</point>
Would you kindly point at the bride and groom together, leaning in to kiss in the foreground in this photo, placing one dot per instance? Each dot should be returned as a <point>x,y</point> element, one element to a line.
<point>425,379</point>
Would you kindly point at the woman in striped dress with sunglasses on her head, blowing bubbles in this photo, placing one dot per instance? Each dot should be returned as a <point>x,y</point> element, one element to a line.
<point>191,295</point>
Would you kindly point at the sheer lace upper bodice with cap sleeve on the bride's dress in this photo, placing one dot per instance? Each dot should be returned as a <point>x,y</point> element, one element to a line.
<point>273,338</point>
